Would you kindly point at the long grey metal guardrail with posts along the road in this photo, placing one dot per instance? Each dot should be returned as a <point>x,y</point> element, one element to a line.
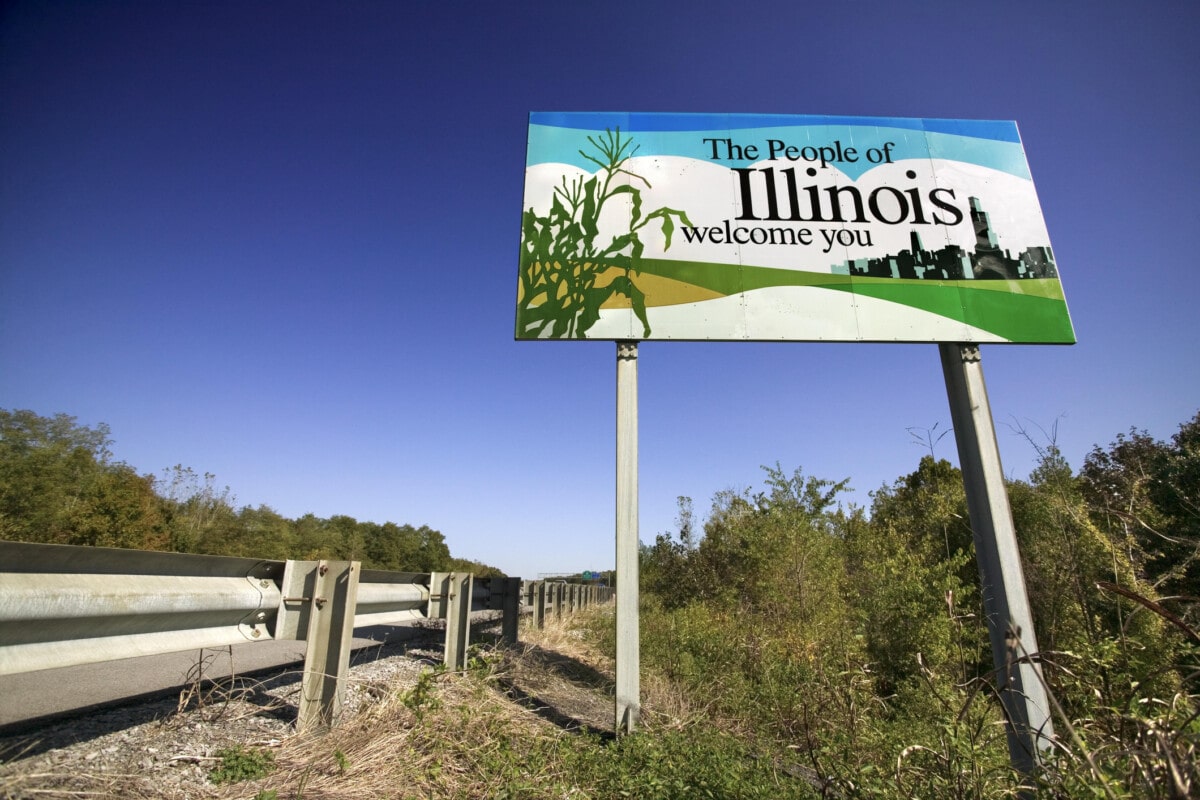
<point>63,606</point>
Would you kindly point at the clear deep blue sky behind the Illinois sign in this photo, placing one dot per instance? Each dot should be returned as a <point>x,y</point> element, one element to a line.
<point>278,242</point>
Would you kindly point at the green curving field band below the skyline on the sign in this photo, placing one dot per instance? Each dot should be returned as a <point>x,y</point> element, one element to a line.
<point>1028,311</point>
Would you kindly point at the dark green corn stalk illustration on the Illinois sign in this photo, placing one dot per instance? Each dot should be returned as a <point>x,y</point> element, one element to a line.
<point>562,261</point>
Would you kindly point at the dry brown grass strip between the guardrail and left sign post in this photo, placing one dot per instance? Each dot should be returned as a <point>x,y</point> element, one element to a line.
<point>460,735</point>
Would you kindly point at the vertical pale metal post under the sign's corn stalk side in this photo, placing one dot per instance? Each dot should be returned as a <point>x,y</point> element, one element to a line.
<point>628,655</point>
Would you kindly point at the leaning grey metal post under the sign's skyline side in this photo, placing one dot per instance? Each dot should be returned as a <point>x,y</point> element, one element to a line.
<point>1005,601</point>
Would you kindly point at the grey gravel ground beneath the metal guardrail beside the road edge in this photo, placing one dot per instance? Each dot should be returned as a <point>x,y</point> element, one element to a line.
<point>166,749</point>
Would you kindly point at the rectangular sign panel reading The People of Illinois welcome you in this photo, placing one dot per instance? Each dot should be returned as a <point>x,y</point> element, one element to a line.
<point>783,228</point>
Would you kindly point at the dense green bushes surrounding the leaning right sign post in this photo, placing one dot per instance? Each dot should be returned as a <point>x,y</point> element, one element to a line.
<point>857,642</point>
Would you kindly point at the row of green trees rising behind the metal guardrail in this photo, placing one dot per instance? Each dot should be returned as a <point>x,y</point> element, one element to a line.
<point>59,484</point>
